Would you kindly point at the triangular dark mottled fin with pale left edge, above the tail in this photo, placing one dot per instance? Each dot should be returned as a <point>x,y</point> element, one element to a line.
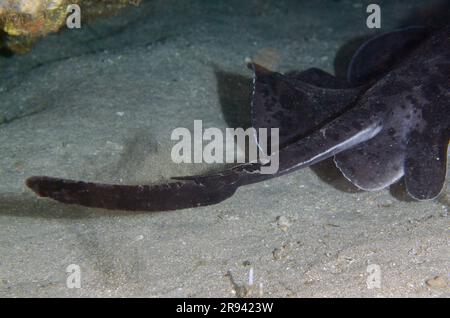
<point>294,106</point>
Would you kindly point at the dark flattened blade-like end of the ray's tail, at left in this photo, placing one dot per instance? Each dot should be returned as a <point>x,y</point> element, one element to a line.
<point>160,197</point>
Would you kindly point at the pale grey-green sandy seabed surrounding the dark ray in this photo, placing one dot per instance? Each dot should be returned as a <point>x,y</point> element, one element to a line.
<point>100,103</point>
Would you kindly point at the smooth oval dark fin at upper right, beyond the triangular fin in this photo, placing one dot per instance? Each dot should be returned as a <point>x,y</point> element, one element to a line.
<point>377,56</point>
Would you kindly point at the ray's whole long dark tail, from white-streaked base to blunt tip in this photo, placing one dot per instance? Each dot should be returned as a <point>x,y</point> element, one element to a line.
<point>194,191</point>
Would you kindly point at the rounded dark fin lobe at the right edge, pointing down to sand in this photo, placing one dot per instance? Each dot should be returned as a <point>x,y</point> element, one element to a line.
<point>426,166</point>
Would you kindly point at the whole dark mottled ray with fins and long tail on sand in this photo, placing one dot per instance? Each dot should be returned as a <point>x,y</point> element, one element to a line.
<point>390,118</point>
